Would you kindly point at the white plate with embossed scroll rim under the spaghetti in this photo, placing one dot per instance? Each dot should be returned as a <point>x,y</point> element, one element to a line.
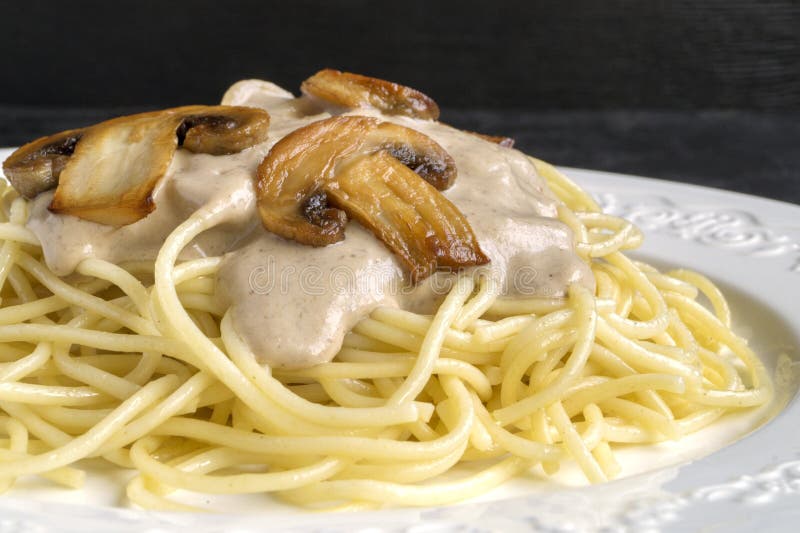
<point>748,245</point>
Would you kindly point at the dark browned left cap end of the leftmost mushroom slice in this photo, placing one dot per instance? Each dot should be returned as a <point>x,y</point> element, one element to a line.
<point>35,167</point>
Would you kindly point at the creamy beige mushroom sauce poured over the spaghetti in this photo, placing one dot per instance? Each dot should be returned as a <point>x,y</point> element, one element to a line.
<point>292,303</point>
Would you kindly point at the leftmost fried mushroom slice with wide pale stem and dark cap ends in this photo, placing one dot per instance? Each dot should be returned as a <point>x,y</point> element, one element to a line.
<point>106,173</point>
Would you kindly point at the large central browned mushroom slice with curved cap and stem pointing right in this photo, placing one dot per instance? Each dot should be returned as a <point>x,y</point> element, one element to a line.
<point>386,176</point>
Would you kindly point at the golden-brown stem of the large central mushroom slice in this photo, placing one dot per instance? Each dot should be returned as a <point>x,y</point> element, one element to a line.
<point>422,227</point>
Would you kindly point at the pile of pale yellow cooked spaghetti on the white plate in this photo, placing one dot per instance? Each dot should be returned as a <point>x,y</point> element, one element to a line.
<point>137,364</point>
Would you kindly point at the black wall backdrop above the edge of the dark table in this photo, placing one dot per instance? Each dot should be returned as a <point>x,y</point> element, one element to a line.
<point>680,54</point>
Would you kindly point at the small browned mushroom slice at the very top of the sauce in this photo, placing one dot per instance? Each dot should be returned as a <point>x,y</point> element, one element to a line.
<point>349,90</point>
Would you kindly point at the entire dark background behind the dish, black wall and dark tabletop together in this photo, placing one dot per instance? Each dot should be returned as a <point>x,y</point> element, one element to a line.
<point>699,91</point>
